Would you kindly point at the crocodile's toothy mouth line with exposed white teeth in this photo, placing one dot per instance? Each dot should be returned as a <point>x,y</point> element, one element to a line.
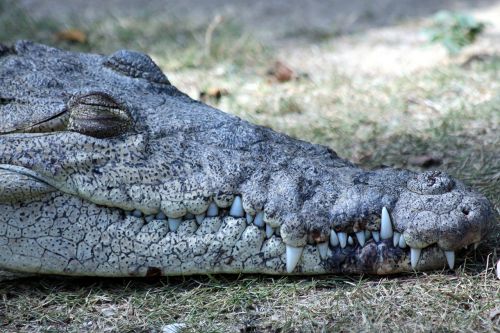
<point>374,251</point>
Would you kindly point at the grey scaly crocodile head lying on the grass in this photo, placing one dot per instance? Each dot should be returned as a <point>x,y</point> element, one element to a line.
<point>107,169</point>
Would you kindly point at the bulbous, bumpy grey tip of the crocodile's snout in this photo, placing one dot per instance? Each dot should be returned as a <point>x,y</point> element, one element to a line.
<point>438,210</point>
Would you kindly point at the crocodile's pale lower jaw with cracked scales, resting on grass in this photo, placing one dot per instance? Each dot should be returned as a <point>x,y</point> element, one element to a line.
<point>132,246</point>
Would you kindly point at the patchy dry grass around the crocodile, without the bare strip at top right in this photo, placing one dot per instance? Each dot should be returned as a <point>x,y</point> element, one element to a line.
<point>450,111</point>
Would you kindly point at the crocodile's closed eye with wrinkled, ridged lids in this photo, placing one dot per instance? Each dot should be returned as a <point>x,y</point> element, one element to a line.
<point>98,115</point>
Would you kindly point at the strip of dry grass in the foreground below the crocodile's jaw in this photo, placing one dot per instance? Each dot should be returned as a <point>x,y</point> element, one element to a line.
<point>437,302</point>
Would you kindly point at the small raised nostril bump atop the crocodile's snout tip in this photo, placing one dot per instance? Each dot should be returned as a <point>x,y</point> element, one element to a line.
<point>431,182</point>
